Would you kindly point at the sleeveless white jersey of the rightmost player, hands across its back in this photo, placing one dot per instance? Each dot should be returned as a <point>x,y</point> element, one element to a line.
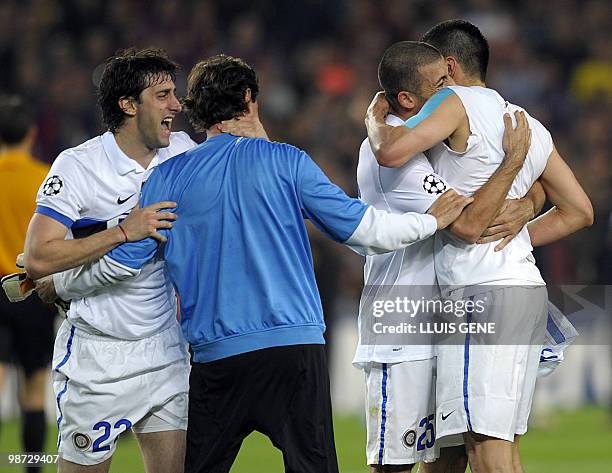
<point>463,264</point>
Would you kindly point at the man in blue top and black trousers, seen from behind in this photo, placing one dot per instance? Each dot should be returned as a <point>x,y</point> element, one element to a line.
<point>240,259</point>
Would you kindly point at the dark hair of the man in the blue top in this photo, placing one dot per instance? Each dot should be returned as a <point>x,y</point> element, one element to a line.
<point>216,90</point>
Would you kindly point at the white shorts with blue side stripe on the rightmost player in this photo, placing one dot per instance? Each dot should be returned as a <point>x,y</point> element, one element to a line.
<point>488,389</point>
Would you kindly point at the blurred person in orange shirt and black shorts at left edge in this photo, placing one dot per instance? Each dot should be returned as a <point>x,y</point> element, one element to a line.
<point>26,329</point>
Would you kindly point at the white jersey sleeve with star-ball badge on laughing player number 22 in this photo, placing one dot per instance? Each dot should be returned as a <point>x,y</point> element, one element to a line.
<point>62,195</point>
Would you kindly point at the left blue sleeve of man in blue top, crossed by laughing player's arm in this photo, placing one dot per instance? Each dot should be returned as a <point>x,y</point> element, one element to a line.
<point>136,254</point>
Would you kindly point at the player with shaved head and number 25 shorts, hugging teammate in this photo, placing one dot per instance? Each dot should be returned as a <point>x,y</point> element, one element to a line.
<point>400,378</point>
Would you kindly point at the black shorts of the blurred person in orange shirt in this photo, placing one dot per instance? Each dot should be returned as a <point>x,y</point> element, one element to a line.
<point>26,333</point>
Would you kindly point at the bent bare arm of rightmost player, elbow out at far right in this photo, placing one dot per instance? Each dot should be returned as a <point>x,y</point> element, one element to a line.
<point>572,209</point>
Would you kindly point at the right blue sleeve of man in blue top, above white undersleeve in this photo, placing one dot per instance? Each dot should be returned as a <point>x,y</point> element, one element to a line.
<point>325,204</point>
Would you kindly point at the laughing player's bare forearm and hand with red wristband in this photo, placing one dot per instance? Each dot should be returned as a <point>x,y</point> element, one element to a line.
<point>47,251</point>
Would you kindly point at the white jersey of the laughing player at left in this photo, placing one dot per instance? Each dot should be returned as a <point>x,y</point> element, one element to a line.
<point>90,188</point>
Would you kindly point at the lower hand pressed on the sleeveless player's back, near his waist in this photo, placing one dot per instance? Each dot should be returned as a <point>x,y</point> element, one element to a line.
<point>510,220</point>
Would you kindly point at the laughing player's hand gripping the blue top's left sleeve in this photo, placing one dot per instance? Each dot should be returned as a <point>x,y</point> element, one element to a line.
<point>145,222</point>
